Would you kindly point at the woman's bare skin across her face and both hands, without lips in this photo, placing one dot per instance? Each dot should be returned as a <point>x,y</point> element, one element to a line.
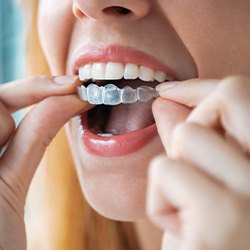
<point>208,39</point>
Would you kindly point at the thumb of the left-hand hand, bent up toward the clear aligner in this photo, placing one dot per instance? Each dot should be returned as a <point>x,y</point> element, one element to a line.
<point>33,135</point>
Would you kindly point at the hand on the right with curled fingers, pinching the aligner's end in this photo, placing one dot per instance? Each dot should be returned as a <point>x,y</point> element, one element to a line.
<point>200,194</point>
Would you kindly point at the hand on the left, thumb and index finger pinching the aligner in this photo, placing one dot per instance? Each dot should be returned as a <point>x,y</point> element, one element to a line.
<point>26,144</point>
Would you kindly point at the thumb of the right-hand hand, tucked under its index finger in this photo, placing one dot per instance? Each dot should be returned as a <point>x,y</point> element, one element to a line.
<point>167,114</point>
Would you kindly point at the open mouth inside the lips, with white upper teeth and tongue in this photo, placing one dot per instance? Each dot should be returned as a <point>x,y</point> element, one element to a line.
<point>109,121</point>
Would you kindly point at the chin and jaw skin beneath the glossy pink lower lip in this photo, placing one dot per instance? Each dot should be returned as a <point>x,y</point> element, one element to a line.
<point>115,186</point>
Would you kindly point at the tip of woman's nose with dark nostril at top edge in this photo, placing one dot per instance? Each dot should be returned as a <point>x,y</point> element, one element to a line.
<point>105,9</point>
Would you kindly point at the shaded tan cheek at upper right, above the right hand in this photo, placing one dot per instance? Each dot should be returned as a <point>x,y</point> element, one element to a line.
<point>208,28</point>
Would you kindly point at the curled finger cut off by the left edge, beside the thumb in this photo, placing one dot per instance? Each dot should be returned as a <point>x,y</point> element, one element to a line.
<point>7,125</point>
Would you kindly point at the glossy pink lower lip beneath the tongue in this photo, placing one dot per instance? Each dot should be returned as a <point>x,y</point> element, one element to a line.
<point>119,145</point>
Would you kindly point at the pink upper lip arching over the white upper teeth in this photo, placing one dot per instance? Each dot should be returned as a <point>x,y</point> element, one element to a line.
<point>117,53</point>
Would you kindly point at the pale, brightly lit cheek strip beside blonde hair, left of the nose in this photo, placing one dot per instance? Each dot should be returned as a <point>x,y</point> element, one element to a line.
<point>55,24</point>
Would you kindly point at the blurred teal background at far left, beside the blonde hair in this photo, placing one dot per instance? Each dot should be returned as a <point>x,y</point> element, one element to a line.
<point>12,43</point>
